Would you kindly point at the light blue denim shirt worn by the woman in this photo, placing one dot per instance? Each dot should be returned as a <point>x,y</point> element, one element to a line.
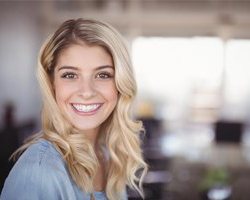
<point>41,174</point>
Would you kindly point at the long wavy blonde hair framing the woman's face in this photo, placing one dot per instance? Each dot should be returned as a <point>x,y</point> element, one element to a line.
<point>120,133</point>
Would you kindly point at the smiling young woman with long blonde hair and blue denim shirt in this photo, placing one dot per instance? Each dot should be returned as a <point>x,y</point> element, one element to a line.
<point>89,146</point>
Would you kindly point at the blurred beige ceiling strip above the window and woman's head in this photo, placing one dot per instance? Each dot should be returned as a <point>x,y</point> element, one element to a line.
<point>223,18</point>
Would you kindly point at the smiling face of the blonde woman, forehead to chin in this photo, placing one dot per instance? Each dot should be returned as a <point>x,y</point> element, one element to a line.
<point>84,86</point>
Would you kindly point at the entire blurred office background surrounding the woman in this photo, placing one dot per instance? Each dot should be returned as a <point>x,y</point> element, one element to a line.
<point>192,64</point>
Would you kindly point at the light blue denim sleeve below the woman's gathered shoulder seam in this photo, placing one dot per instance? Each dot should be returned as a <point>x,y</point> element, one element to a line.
<point>38,179</point>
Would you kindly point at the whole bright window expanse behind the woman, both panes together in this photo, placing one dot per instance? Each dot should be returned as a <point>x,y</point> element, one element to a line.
<point>170,70</point>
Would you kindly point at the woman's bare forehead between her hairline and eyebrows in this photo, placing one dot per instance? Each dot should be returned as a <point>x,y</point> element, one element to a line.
<point>84,55</point>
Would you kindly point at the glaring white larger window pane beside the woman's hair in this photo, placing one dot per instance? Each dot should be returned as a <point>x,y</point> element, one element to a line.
<point>171,67</point>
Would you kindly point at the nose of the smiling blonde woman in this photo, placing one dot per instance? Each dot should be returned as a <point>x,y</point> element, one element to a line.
<point>86,88</point>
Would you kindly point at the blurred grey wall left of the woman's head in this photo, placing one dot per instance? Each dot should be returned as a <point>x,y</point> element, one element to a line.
<point>20,40</point>
